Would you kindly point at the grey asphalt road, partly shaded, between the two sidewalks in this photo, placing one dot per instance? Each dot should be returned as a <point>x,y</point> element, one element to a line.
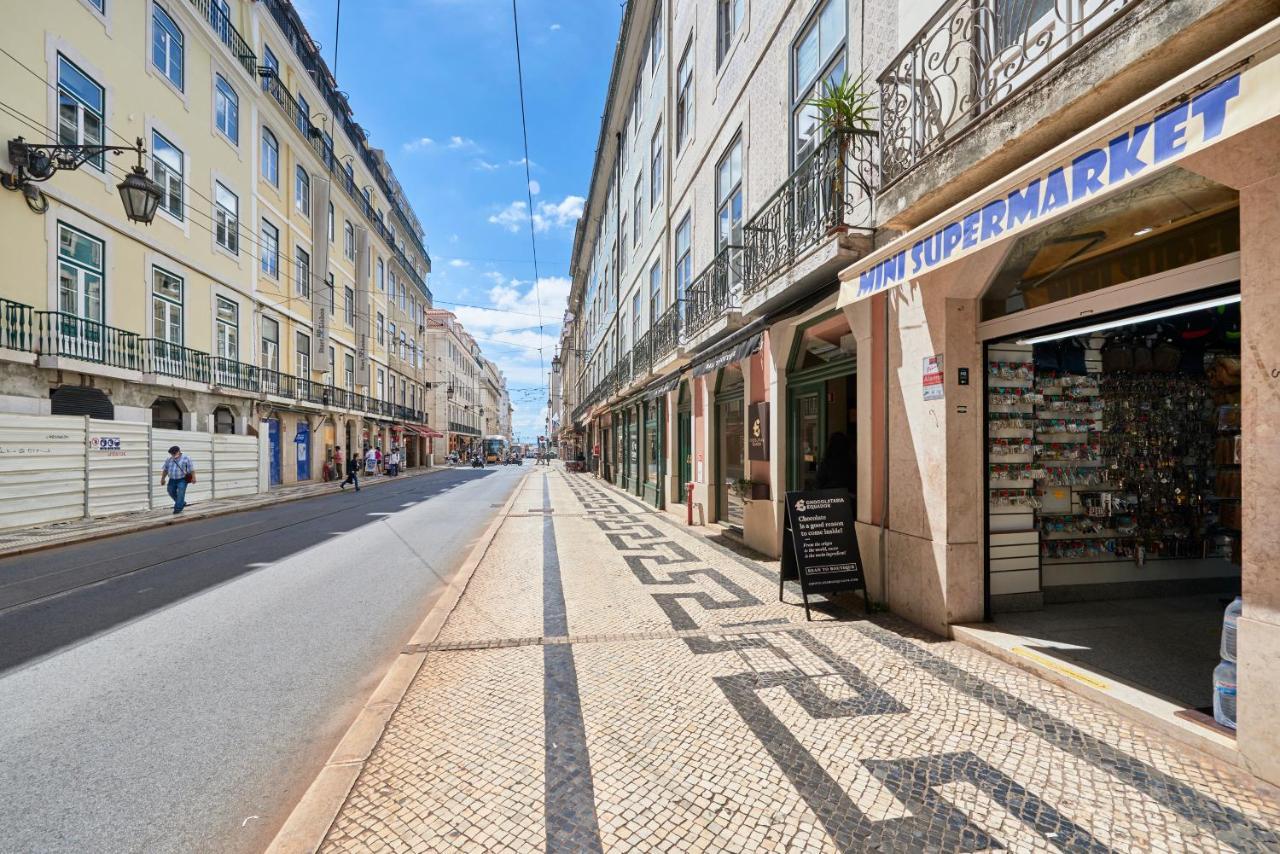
<point>179,689</point>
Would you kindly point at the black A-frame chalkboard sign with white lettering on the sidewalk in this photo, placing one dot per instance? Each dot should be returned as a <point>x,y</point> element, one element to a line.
<point>820,547</point>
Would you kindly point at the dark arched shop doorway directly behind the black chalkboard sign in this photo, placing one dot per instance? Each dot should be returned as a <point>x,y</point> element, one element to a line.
<point>822,407</point>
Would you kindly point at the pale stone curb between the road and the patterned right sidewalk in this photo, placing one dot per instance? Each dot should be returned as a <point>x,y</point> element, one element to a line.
<point>307,828</point>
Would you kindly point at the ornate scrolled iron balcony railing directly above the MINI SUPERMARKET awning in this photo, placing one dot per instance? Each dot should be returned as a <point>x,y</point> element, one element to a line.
<point>972,57</point>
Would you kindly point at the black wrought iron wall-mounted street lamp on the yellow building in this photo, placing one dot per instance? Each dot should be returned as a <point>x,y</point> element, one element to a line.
<point>35,163</point>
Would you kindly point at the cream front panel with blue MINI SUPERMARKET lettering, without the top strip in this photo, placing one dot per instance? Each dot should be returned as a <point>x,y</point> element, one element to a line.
<point>1203,118</point>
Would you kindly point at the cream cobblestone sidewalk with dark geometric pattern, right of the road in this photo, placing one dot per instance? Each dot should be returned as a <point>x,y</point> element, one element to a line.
<point>611,683</point>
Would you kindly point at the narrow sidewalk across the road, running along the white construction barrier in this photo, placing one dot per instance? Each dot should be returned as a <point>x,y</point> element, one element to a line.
<point>26,540</point>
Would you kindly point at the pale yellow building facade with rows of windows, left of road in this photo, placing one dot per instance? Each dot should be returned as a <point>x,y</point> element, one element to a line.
<point>282,285</point>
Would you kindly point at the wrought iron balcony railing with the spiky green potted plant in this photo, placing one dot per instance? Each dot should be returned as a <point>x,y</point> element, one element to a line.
<point>831,193</point>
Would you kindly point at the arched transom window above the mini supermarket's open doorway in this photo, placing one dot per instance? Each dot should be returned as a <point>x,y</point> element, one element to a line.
<point>1167,223</point>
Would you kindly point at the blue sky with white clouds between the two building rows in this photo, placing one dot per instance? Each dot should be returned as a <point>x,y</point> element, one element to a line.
<point>433,83</point>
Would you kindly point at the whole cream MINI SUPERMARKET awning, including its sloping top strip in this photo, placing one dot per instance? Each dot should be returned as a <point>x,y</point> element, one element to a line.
<point>1200,108</point>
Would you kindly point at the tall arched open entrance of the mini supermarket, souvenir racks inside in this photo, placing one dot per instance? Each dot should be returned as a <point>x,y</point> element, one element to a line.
<point>1114,445</point>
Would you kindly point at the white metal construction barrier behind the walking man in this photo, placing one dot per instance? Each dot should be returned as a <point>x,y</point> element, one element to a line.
<point>58,468</point>
